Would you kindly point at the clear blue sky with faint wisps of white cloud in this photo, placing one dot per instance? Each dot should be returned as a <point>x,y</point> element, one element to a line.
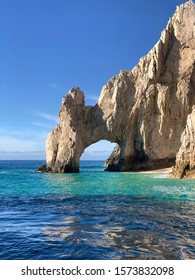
<point>49,46</point>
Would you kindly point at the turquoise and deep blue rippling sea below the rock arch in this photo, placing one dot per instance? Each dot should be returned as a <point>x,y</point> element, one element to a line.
<point>94,214</point>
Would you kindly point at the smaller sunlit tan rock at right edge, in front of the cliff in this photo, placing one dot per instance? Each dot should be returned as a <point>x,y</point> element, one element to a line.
<point>185,160</point>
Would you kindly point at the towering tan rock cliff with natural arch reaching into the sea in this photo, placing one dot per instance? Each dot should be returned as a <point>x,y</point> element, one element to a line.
<point>144,111</point>
